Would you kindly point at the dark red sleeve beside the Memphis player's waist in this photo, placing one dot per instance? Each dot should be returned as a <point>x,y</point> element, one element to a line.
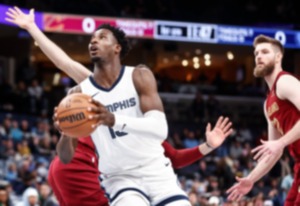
<point>182,157</point>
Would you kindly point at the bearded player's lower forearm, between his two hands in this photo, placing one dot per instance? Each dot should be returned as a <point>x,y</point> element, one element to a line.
<point>263,167</point>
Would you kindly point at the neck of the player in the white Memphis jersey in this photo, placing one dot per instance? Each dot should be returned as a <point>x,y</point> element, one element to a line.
<point>106,74</point>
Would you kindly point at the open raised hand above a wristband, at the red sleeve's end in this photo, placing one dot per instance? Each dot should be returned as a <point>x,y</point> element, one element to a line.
<point>220,132</point>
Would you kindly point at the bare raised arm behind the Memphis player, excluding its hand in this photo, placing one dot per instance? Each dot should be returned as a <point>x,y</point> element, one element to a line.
<point>61,60</point>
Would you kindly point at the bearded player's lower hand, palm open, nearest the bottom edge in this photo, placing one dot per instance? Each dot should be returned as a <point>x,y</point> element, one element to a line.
<point>237,191</point>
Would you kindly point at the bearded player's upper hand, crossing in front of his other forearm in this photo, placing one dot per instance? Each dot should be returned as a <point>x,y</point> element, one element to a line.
<point>268,149</point>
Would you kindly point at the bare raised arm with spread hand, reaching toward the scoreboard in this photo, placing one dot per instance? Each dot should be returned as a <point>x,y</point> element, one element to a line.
<point>61,60</point>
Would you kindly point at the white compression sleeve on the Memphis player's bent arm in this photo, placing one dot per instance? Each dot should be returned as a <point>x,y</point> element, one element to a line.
<point>153,124</point>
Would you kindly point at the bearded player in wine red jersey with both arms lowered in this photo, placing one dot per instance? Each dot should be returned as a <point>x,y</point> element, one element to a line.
<point>282,110</point>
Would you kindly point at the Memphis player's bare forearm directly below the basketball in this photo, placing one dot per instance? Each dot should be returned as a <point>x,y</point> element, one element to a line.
<point>65,149</point>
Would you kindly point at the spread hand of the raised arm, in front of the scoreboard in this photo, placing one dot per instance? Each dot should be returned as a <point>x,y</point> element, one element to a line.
<point>16,16</point>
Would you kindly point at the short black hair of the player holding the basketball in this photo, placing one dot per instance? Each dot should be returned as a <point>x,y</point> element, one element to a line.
<point>120,37</point>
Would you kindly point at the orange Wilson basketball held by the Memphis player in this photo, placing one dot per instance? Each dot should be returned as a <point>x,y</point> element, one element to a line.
<point>72,115</point>
